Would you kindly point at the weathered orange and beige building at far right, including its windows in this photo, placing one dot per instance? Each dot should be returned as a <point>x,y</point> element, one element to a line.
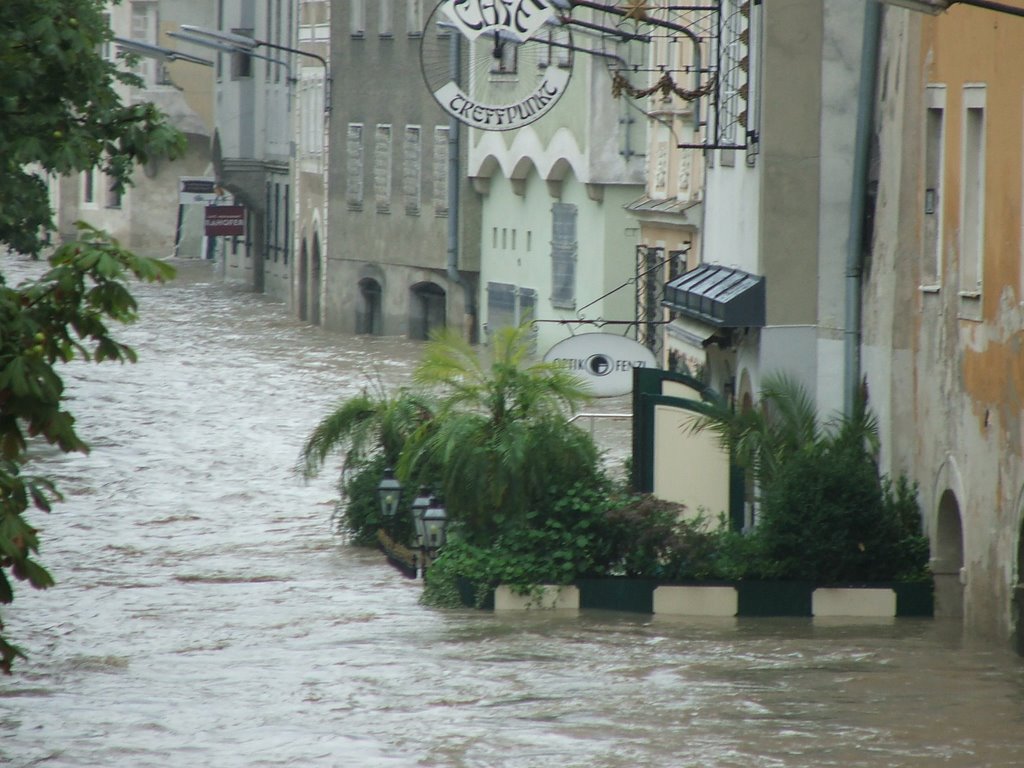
<point>944,296</point>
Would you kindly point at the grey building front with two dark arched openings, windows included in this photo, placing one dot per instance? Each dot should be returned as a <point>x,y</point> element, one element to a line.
<point>403,261</point>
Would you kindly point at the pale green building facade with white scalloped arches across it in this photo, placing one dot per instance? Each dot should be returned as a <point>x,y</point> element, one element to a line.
<point>558,244</point>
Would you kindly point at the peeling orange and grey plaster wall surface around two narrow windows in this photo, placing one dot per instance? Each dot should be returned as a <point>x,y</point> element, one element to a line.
<point>965,348</point>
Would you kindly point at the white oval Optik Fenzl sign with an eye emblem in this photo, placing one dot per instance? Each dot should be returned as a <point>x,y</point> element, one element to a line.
<point>606,362</point>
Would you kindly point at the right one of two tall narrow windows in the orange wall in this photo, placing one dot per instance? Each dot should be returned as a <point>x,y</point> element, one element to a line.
<point>973,191</point>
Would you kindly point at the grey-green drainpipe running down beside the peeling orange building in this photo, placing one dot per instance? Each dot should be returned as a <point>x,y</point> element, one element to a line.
<point>855,261</point>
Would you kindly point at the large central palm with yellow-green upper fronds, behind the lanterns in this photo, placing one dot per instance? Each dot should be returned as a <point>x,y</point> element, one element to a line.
<point>500,437</point>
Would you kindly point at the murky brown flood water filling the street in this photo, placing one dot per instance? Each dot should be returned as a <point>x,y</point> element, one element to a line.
<point>207,616</point>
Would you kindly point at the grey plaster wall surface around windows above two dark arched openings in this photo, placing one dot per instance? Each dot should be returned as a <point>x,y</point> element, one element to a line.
<point>377,83</point>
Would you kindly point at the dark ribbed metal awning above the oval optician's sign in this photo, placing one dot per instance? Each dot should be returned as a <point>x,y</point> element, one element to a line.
<point>719,295</point>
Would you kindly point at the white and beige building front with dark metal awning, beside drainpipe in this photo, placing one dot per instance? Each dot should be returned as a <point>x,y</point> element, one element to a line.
<point>778,201</point>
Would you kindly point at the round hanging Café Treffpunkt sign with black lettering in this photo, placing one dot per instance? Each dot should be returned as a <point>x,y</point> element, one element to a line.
<point>496,66</point>
